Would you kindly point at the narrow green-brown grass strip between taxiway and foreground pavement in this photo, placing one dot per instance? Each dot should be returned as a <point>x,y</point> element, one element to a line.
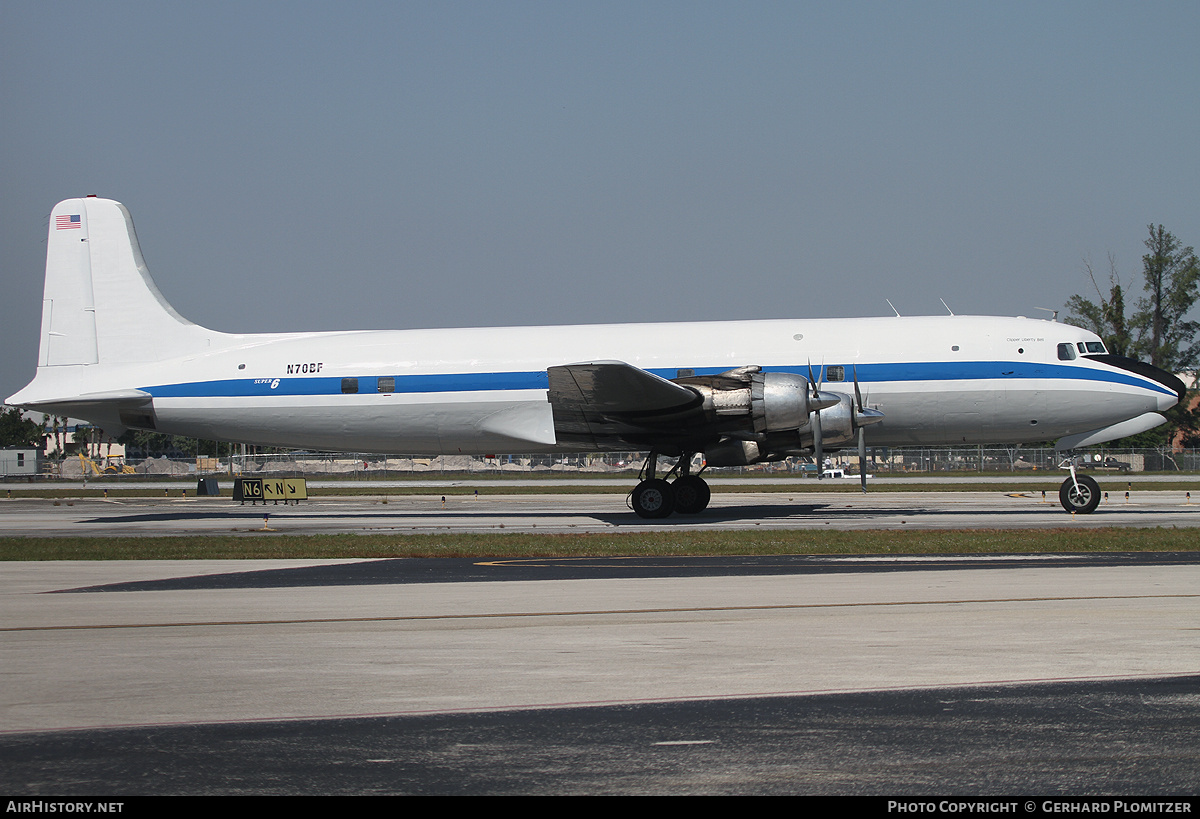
<point>257,546</point>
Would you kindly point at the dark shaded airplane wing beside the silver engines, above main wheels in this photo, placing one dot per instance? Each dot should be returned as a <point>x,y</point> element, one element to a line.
<point>613,405</point>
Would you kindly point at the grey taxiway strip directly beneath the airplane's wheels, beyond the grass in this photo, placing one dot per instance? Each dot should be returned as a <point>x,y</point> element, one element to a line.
<point>583,513</point>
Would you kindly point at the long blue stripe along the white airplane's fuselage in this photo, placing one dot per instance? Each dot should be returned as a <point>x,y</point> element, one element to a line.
<point>469,382</point>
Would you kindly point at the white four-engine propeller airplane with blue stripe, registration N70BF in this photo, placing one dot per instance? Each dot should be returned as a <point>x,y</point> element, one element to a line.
<point>116,354</point>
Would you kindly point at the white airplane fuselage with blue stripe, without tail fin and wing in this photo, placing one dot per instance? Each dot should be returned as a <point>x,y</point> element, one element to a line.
<point>938,380</point>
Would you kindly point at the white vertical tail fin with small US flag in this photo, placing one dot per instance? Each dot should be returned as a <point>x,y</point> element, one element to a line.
<point>100,306</point>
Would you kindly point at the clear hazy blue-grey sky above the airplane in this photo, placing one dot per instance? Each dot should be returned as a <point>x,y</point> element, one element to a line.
<point>321,166</point>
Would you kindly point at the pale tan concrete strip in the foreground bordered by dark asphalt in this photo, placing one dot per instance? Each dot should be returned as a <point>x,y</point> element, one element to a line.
<point>112,659</point>
